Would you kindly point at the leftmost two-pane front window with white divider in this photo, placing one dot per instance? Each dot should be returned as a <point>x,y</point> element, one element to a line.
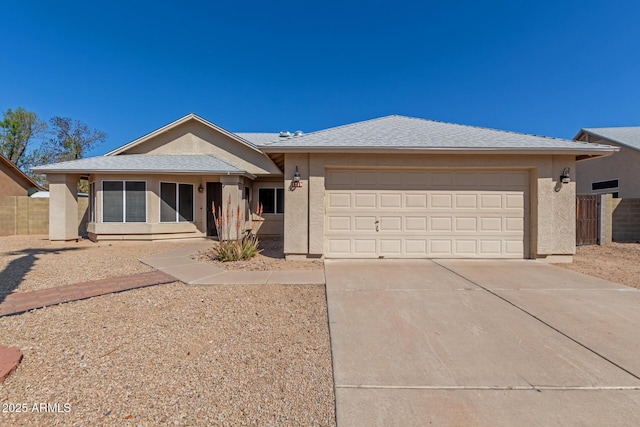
<point>124,201</point>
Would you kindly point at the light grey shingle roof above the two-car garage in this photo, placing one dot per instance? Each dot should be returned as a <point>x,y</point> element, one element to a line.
<point>408,133</point>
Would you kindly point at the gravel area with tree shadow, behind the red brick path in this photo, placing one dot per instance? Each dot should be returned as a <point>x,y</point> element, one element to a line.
<point>29,263</point>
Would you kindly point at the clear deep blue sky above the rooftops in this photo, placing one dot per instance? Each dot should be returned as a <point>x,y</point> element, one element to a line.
<point>127,68</point>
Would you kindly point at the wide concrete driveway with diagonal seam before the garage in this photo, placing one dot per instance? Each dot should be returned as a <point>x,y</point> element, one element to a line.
<point>481,343</point>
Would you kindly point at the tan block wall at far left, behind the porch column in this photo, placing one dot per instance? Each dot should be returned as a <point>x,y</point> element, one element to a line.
<point>22,215</point>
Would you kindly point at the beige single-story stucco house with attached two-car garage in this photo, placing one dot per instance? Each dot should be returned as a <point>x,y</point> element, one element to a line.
<point>395,187</point>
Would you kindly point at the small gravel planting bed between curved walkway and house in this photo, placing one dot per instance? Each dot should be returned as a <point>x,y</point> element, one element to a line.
<point>271,258</point>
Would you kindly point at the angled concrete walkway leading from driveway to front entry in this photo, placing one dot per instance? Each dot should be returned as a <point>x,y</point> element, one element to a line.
<point>179,264</point>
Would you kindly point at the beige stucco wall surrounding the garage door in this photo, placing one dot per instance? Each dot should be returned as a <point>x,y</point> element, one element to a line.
<point>551,213</point>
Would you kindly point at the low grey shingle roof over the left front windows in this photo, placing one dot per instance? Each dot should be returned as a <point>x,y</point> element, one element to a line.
<point>145,163</point>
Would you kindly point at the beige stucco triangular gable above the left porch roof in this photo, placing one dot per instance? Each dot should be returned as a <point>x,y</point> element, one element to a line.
<point>195,138</point>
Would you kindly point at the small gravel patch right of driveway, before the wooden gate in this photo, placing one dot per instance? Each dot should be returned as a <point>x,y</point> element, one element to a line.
<point>617,262</point>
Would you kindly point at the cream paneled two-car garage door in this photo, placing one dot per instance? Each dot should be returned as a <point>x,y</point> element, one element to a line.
<point>426,214</point>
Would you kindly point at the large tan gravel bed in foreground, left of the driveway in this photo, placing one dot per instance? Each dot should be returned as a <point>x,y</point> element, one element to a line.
<point>175,355</point>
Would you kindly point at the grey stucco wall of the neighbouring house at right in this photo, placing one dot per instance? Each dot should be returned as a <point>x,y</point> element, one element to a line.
<point>623,166</point>
